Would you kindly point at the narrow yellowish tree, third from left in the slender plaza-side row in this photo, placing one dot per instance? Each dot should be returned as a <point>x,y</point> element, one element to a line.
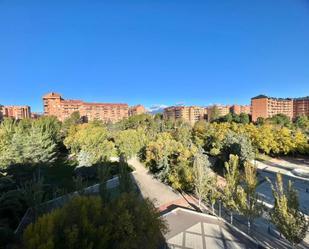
<point>248,198</point>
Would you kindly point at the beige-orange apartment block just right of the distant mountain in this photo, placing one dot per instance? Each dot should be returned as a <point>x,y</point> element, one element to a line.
<point>190,114</point>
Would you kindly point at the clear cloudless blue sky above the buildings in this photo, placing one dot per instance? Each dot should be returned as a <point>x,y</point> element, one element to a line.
<point>153,52</point>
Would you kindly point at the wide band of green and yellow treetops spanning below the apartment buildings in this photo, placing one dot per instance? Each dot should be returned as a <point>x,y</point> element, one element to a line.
<point>42,140</point>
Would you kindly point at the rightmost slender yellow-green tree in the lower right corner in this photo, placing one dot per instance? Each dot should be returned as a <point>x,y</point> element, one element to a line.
<point>286,215</point>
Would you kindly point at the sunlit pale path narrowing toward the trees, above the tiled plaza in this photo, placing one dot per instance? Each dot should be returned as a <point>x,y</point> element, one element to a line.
<point>150,187</point>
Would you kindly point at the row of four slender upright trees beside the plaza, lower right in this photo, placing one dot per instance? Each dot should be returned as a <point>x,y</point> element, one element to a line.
<point>239,195</point>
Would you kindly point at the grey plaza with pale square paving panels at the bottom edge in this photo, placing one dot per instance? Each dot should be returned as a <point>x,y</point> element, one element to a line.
<point>190,229</point>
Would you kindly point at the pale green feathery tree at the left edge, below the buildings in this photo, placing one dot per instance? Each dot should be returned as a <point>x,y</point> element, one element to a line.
<point>28,141</point>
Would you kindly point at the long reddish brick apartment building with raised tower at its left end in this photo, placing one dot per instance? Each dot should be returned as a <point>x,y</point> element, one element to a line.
<point>55,105</point>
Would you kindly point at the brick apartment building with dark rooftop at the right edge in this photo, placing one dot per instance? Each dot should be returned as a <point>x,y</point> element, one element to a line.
<point>266,107</point>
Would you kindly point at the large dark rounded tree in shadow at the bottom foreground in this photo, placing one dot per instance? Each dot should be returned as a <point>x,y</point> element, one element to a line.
<point>128,222</point>
